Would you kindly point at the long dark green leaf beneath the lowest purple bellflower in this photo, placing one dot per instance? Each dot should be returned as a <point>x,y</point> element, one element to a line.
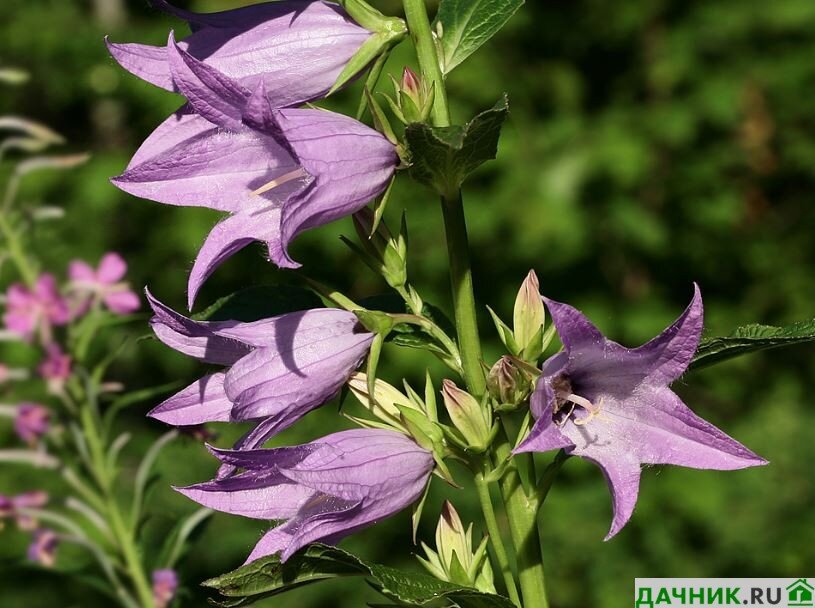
<point>268,576</point>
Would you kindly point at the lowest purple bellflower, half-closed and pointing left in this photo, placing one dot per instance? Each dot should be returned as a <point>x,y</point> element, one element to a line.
<point>323,490</point>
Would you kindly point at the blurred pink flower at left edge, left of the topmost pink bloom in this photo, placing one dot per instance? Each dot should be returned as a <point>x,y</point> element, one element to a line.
<point>30,310</point>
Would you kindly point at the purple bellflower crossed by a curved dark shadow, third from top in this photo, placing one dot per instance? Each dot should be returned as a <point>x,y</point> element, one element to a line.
<point>277,369</point>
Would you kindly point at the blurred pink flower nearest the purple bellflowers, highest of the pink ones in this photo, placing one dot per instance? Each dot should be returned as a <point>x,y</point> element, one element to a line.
<point>105,283</point>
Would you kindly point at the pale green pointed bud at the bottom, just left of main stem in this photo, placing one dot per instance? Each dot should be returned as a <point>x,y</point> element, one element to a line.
<point>454,559</point>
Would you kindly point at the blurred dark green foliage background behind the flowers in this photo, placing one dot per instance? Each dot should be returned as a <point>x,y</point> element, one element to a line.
<point>650,144</point>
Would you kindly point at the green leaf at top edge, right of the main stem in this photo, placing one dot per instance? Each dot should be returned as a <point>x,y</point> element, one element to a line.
<point>464,25</point>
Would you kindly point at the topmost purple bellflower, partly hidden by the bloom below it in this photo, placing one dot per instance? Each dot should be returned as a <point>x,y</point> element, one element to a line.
<point>296,48</point>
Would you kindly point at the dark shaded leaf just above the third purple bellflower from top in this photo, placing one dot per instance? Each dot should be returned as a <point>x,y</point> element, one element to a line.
<point>259,302</point>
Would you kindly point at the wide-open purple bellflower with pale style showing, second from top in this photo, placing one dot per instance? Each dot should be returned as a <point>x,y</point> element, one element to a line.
<point>277,172</point>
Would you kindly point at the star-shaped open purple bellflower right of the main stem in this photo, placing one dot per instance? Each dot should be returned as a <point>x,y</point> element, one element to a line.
<point>612,406</point>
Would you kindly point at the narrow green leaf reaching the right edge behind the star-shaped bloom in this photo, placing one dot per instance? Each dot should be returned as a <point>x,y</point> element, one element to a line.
<point>750,339</point>
